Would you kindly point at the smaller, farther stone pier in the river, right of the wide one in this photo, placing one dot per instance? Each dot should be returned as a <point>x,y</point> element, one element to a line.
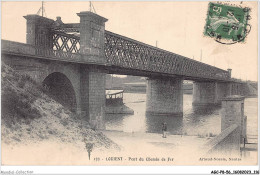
<point>205,93</point>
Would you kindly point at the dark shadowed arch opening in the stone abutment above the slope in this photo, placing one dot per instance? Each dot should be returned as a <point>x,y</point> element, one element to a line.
<point>61,89</point>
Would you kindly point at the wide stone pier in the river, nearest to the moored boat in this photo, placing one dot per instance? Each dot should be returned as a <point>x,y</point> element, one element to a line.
<point>164,97</point>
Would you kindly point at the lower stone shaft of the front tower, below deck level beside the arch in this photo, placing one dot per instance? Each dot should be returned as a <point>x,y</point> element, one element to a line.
<point>92,90</point>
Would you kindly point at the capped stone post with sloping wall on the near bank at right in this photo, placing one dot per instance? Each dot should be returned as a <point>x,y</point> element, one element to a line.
<point>233,129</point>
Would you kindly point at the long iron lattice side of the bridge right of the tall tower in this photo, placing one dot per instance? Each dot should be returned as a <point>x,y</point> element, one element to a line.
<point>128,53</point>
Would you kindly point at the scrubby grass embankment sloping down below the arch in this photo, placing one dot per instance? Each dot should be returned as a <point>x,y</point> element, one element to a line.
<point>29,116</point>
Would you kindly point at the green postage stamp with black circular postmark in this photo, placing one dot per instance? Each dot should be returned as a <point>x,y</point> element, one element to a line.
<point>227,24</point>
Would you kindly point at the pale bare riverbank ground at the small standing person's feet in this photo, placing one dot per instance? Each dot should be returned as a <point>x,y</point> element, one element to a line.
<point>151,145</point>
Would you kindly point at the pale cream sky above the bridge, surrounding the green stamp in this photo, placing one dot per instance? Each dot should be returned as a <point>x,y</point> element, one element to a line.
<point>176,26</point>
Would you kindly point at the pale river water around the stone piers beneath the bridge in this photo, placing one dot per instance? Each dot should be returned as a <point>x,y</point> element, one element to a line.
<point>195,121</point>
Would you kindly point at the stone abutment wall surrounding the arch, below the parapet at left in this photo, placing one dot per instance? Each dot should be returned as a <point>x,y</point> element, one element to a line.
<point>40,69</point>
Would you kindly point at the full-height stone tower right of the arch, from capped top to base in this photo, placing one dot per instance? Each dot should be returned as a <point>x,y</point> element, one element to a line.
<point>92,31</point>
